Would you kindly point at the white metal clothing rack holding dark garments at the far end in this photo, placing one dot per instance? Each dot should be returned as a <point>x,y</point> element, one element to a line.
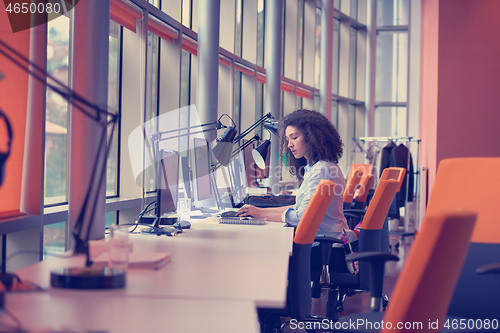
<point>407,140</point>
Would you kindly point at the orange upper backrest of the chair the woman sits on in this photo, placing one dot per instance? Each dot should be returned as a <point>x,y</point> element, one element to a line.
<point>314,212</point>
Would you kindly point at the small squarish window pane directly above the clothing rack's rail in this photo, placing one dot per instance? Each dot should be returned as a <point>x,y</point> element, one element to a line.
<point>390,121</point>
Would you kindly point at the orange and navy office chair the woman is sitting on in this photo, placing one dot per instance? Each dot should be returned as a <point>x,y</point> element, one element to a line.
<point>299,275</point>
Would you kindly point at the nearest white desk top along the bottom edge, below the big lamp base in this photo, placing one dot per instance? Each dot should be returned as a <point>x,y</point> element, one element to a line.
<point>111,311</point>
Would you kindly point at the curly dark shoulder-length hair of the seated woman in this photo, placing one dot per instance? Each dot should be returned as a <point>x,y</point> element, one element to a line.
<point>323,140</point>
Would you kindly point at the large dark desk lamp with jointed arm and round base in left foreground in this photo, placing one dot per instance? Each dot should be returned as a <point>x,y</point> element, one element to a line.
<point>87,277</point>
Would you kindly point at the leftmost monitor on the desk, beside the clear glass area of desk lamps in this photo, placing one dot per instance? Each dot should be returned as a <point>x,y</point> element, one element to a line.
<point>167,186</point>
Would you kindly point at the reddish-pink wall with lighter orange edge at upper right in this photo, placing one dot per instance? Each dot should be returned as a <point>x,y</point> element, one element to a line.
<point>460,80</point>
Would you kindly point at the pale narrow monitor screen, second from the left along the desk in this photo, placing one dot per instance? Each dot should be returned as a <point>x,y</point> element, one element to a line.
<point>203,189</point>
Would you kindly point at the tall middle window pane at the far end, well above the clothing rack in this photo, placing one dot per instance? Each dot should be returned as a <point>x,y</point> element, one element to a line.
<point>391,67</point>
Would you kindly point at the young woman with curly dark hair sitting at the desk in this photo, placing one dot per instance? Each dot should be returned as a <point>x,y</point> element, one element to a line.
<point>312,148</point>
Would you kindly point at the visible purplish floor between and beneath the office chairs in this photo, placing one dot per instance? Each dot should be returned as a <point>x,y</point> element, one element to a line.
<point>360,302</point>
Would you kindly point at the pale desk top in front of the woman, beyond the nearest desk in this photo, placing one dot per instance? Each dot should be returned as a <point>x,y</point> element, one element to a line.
<point>240,263</point>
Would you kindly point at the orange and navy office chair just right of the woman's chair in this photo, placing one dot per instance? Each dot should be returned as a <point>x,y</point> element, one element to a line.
<point>343,282</point>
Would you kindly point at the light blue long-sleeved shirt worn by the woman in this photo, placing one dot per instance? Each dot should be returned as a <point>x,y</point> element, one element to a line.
<point>334,221</point>
